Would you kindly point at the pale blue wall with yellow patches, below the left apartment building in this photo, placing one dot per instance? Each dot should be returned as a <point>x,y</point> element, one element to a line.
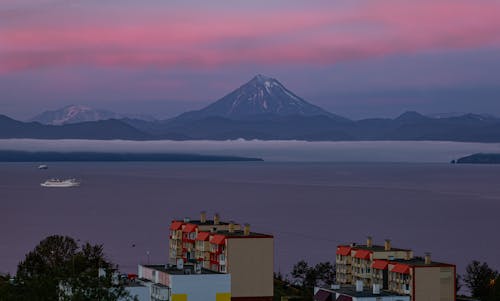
<point>201,287</point>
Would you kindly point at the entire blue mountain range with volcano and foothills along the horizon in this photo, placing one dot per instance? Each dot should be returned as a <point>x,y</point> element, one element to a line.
<point>263,108</point>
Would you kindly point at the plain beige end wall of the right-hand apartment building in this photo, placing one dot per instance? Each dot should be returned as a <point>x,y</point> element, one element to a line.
<point>434,283</point>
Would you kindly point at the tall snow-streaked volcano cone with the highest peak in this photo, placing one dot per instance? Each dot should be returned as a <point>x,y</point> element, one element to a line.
<point>262,95</point>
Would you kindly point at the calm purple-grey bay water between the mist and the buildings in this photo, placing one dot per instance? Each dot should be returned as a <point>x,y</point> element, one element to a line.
<point>450,210</point>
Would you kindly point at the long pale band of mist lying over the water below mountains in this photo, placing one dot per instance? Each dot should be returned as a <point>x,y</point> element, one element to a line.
<point>302,151</point>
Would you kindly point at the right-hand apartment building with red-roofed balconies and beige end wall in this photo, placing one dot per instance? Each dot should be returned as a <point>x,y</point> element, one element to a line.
<point>395,271</point>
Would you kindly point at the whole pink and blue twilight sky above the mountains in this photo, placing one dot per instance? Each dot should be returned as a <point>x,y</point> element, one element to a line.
<point>355,58</point>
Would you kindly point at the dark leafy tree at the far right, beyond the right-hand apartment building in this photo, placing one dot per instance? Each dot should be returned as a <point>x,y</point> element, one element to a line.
<point>479,278</point>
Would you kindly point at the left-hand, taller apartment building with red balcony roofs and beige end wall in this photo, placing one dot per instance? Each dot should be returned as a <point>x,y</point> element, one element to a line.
<point>225,247</point>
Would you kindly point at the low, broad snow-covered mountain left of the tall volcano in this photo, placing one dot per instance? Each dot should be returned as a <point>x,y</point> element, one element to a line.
<point>74,114</point>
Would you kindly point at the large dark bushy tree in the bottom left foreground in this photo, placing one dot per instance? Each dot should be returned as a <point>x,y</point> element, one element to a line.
<point>59,269</point>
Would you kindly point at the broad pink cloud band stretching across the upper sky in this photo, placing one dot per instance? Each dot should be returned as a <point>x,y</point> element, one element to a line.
<point>192,39</point>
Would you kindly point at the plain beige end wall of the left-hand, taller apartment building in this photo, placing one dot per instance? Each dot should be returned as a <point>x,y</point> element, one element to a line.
<point>250,261</point>
